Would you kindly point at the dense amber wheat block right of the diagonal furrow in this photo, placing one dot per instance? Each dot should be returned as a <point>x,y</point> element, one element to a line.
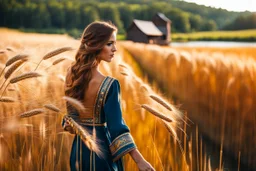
<point>215,85</point>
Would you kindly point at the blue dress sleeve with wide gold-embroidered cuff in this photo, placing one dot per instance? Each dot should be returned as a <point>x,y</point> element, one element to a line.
<point>121,139</point>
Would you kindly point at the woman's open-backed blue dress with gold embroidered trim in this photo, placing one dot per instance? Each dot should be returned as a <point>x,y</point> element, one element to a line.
<point>111,131</point>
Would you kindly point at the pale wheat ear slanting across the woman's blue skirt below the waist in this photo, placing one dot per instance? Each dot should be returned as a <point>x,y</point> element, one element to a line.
<point>84,135</point>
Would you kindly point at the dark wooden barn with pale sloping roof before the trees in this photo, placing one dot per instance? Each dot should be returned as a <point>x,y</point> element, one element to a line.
<point>156,31</point>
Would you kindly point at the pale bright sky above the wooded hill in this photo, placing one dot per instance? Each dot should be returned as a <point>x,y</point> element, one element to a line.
<point>231,5</point>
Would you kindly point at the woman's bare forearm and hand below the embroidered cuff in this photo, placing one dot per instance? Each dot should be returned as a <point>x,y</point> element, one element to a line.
<point>141,162</point>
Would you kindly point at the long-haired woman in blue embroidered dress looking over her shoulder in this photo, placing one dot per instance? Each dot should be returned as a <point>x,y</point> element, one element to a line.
<point>101,97</point>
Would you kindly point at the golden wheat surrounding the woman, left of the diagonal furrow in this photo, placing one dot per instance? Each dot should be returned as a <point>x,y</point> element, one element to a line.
<point>31,137</point>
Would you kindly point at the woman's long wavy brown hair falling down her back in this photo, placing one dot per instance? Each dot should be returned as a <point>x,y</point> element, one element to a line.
<point>93,39</point>
